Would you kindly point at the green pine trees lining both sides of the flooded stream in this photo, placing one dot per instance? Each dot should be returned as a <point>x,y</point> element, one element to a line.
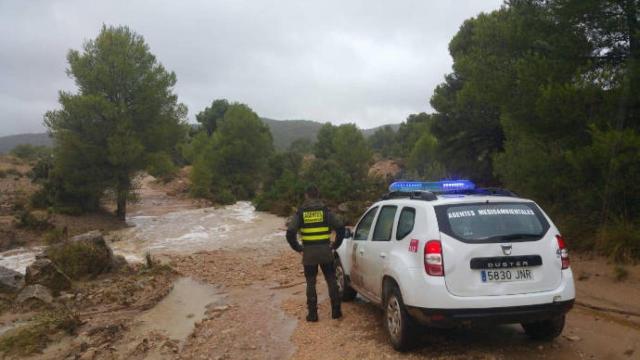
<point>543,99</point>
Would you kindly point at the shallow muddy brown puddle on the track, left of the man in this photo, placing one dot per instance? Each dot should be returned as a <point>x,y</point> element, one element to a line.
<point>177,314</point>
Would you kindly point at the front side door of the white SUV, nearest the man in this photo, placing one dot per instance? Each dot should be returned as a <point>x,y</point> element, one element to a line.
<point>361,238</point>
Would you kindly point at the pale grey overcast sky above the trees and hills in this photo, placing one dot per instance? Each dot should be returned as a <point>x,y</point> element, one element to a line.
<point>368,62</point>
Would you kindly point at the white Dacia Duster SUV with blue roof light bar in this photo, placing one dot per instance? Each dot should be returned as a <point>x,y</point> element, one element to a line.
<point>442,257</point>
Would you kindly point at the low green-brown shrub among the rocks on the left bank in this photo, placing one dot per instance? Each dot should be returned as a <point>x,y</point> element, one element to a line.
<point>80,259</point>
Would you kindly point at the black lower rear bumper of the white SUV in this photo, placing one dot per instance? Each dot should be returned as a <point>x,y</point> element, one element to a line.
<point>500,315</point>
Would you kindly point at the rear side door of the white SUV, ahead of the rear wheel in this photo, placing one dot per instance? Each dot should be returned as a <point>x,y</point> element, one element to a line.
<point>378,248</point>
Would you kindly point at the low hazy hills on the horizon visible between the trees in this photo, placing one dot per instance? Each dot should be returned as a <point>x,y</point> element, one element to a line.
<point>284,133</point>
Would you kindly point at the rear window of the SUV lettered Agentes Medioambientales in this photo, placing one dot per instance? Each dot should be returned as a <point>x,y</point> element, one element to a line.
<point>492,222</point>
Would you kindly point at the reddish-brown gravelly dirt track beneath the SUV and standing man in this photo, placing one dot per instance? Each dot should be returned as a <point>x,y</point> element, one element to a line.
<point>264,307</point>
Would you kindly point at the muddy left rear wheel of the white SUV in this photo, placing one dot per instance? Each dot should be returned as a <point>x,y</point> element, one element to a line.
<point>397,322</point>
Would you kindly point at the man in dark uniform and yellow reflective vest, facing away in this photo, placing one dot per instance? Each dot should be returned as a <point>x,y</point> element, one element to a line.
<point>315,222</point>
